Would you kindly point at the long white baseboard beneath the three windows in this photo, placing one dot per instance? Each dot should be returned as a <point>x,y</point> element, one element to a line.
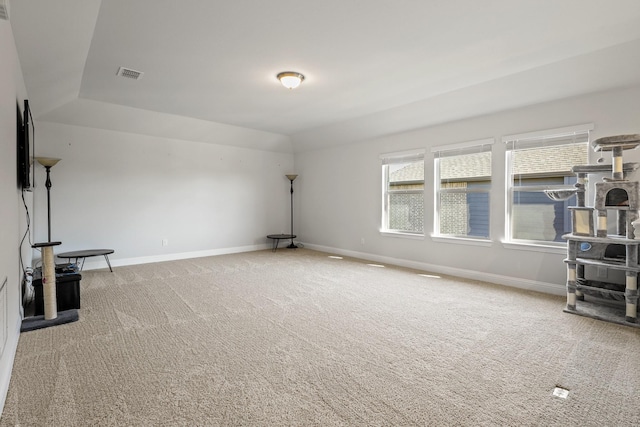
<point>514,282</point>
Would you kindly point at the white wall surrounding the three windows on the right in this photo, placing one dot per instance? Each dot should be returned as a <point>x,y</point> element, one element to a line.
<point>338,196</point>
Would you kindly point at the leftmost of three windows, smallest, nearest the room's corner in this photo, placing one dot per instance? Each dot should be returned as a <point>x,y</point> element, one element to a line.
<point>403,192</point>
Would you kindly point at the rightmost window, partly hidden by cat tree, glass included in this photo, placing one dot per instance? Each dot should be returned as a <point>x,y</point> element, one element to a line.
<point>536,162</point>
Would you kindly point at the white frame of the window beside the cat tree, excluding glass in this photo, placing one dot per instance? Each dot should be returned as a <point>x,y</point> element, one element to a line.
<point>537,139</point>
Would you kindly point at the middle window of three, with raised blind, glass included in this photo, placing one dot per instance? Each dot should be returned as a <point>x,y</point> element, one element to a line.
<point>462,186</point>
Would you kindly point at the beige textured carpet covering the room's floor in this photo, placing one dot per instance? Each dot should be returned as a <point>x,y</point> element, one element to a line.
<point>298,338</point>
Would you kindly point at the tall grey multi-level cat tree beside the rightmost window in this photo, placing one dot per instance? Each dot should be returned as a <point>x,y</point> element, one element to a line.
<point>590,246</point>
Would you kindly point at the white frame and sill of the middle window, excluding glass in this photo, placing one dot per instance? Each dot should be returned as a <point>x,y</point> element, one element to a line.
<point>452,150</point>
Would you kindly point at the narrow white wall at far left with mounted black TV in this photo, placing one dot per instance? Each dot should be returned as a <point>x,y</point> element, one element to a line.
<point>12,213</point>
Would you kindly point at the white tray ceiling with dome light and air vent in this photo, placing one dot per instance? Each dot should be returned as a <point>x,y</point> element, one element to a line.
<point>372,67</point>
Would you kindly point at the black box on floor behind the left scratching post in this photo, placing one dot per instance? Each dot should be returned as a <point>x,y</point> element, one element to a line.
<point>67,289</point>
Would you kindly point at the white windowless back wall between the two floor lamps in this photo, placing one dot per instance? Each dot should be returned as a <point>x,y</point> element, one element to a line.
<point>128,192</point>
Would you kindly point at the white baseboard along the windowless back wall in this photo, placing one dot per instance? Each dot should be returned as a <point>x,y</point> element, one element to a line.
<point>99,262</point>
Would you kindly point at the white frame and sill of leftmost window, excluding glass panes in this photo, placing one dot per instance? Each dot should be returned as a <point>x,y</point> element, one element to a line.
<point>398,158</point>
